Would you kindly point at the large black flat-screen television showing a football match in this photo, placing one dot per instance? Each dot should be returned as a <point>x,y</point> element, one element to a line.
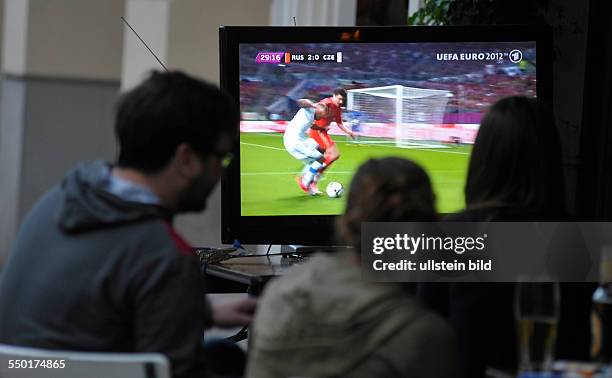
<point>414,92</point>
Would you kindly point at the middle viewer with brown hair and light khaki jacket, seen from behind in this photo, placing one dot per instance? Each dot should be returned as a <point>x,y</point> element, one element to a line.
<point>323,320</point>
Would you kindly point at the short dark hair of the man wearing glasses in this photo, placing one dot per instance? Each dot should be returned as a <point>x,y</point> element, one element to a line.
<point>167,109</point>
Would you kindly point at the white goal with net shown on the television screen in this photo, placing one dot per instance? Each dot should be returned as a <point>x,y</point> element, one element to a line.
<point>405,115</point>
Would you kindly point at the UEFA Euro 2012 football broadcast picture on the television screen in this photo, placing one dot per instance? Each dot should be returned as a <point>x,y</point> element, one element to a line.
<point>312,113</point>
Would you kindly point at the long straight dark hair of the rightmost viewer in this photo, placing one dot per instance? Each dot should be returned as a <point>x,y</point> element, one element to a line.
<point>516,160</point>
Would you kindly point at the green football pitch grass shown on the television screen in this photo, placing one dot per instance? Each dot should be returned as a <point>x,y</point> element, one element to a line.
<point>268,173</point>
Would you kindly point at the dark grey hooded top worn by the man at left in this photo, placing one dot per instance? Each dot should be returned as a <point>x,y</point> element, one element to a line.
<point>89,271</point>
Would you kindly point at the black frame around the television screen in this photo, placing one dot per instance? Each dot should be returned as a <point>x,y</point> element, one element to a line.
<point>294,229</point>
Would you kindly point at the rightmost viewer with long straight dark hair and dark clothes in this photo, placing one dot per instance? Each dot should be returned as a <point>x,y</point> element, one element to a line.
<point>515,174</point>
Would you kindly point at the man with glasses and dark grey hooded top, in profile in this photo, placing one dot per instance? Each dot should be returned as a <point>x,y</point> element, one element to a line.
<point>97,264</point>
